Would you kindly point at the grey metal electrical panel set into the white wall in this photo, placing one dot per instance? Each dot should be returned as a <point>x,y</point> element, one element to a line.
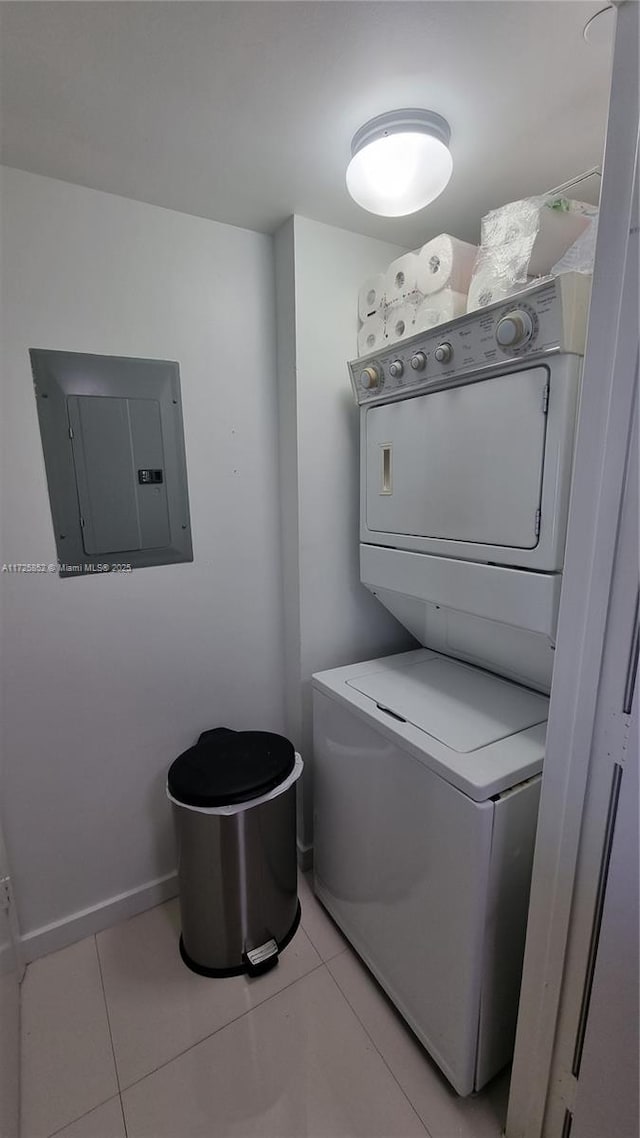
<point>114,453</point>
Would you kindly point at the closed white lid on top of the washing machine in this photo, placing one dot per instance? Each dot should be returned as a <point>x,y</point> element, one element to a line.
<point>461,706</point>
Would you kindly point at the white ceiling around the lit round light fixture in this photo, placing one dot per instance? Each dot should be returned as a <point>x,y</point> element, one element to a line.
<point>244,112</point>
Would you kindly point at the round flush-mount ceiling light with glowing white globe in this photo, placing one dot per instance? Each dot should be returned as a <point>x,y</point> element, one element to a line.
<point>400,162</point>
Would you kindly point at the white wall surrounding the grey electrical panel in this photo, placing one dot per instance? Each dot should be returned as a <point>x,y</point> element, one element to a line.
<point>109,679</point>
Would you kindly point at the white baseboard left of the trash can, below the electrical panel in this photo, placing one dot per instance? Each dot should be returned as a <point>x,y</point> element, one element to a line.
<point>87,922</point>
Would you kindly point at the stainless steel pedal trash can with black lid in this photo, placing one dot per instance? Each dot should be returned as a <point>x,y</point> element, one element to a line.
<point>234,802</point>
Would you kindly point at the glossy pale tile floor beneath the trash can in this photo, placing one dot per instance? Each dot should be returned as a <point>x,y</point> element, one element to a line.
<point>121,1041</point>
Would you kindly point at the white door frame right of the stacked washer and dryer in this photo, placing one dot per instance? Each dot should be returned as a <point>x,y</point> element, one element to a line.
<point>600,474</point>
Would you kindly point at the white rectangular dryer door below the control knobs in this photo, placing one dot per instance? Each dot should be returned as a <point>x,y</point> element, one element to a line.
<point>463,465</point>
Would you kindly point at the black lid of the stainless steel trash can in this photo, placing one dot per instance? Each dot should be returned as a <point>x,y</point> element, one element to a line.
<point>227,768</point>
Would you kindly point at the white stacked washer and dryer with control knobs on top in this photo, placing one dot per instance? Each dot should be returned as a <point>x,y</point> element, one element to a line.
<point>428,765</point>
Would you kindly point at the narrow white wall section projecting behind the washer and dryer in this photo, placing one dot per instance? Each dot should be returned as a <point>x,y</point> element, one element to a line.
<point>331,619</point>
